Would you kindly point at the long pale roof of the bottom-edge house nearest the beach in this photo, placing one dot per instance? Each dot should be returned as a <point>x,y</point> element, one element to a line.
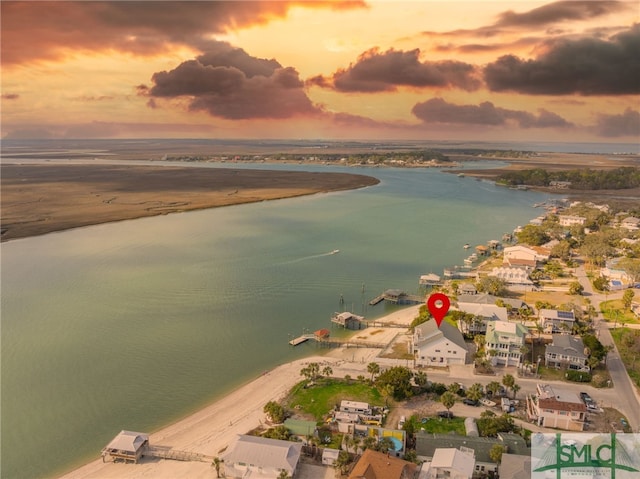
<point>264,452</point>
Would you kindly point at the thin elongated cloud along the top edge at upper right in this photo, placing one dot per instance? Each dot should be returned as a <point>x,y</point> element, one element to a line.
<point>560,12</point>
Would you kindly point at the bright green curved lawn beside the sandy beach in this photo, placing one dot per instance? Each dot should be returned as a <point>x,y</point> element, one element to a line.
<point>326,393</point>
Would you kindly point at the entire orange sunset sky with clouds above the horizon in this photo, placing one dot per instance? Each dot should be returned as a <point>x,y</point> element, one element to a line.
<point>384,70</point>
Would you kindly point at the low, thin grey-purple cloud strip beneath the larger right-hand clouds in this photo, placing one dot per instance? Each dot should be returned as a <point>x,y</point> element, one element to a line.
<point>437,110</point>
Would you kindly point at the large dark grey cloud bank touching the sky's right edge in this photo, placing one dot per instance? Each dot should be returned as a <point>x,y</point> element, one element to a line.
<point>586,66</point>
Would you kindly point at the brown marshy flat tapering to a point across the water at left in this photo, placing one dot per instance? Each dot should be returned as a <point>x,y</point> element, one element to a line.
<point>43,198</point>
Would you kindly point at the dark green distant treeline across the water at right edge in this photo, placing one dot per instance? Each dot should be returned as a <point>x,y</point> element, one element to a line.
<point>582,179</point>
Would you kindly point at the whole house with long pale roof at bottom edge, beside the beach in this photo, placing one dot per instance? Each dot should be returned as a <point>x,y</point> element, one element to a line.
<point>261,458</point>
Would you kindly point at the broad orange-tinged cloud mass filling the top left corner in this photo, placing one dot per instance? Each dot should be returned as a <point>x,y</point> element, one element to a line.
<point>36,30</point>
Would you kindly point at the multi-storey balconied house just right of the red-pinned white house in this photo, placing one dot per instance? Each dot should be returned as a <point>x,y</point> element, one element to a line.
<point>506,339</point>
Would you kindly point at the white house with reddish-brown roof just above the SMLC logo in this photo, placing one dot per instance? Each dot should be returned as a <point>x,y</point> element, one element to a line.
<point>557,408</point>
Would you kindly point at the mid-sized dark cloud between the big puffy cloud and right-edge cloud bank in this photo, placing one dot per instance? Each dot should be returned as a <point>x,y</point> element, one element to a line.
<point>377,71</point>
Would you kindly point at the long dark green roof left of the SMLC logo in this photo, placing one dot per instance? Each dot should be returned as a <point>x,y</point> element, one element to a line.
<point>427,443</point>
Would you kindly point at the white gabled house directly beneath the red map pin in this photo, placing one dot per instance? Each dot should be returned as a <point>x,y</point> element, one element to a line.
<point>438,346</point>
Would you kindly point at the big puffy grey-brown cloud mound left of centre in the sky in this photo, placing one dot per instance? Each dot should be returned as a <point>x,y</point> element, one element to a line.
<point>226,82</point>
